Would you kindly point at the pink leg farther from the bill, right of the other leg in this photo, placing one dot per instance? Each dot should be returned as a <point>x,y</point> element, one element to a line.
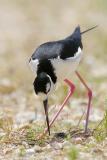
<point>89,101</point>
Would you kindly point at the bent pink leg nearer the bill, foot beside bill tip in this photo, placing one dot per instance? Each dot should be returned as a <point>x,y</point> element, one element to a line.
<point>72,88</point>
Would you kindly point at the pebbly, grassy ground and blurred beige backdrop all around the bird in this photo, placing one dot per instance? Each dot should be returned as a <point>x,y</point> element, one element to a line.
<point>23,26</point>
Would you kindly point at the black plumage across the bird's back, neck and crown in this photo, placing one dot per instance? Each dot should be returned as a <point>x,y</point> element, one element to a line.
<point>50,52</point>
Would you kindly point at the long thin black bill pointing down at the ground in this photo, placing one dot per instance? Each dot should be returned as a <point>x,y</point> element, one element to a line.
<point>45,102</point>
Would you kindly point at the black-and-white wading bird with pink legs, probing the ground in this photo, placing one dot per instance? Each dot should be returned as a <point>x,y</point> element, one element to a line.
<point>55,61</point>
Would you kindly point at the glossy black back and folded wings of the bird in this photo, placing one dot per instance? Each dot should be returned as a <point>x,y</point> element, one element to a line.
<point>65,48</point>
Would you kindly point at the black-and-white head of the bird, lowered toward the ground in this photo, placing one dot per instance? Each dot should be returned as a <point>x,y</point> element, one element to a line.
<point>42,85</point>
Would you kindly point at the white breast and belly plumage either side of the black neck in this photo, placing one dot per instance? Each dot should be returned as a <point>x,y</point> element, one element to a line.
<point>63,68</point>
